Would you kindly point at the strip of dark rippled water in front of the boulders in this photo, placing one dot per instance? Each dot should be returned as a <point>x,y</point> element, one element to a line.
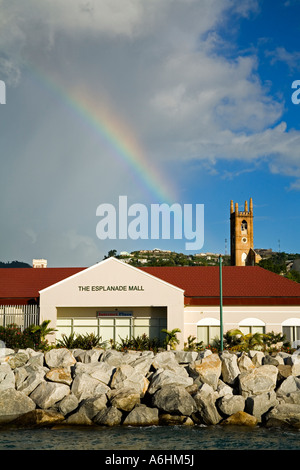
<point>196,438</point>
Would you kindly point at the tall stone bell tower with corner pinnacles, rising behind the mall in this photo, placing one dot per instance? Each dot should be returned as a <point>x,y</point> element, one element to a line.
<point>241,235</point>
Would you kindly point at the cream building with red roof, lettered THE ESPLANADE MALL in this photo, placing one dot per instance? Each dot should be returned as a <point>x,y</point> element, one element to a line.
<point>116,300</point>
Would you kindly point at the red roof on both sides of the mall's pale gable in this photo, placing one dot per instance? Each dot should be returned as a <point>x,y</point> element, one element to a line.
<point>241,285</point>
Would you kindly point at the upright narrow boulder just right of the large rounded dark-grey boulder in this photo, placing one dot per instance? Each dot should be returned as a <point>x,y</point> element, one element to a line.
<point>205,400</point>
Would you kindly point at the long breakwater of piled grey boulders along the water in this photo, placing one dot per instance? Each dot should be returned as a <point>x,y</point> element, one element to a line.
<point>110,388</point>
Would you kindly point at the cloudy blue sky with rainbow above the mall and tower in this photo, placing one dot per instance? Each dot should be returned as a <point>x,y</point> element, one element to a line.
<point>185,102</point>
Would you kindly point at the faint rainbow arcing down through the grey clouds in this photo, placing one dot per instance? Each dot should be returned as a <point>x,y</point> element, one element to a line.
<point>115,132</point>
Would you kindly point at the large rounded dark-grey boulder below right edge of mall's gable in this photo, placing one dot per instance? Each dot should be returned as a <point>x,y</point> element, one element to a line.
<point>174,399</point>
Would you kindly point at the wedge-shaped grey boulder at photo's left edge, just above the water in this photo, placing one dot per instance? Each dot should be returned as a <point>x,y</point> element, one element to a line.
<point>14,404</point>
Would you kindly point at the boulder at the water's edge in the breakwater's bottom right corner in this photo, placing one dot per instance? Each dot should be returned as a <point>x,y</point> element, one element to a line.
<point>284,415</point>
